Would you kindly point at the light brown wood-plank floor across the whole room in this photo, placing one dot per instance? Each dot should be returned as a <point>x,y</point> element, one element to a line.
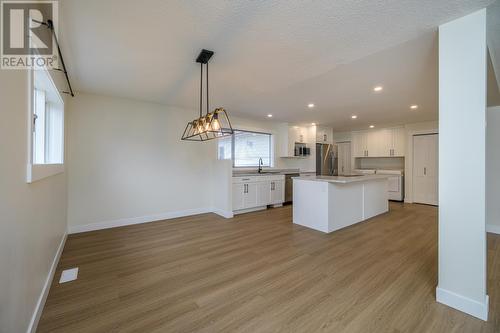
<point>260,273</point>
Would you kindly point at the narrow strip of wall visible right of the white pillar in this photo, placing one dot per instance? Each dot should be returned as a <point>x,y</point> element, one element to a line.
<point>492,169</point>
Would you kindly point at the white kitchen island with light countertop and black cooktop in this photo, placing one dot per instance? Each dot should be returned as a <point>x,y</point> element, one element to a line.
<point>329,203</point>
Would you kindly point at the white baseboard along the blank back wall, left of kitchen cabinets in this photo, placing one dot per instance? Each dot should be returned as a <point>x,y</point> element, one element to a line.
<point>136,220</point>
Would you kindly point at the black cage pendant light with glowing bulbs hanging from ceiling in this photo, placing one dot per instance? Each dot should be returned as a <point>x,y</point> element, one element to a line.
<point>213,124</point>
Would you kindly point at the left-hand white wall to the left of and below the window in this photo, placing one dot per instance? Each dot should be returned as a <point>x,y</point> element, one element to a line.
<point>32,216</point>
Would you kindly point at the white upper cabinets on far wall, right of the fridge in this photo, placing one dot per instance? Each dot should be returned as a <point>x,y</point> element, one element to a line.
<point>389,142</point>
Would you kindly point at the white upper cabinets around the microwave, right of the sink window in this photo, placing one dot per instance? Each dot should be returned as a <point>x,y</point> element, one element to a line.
<point>292,135</point>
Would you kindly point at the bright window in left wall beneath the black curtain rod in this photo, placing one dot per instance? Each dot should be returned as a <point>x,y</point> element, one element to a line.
<point>46,133</point>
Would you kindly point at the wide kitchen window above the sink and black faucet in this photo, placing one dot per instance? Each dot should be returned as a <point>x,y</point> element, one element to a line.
<point>246,147</point>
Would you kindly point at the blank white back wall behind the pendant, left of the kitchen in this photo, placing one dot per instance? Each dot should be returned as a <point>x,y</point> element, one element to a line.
<point>128,164</point>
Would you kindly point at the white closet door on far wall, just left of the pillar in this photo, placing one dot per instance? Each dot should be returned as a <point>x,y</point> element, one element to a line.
<point>425,169</point>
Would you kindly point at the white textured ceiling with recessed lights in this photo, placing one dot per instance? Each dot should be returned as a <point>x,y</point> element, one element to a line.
<point>270,56</point>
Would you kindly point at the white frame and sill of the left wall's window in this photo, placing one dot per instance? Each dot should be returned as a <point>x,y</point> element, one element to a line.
<point>35,172</point>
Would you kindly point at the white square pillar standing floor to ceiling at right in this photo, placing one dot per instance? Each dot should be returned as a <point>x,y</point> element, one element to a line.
<point>462,202</point>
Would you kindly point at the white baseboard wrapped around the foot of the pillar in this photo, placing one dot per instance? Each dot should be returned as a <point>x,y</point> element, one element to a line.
<point>464,304</point>
